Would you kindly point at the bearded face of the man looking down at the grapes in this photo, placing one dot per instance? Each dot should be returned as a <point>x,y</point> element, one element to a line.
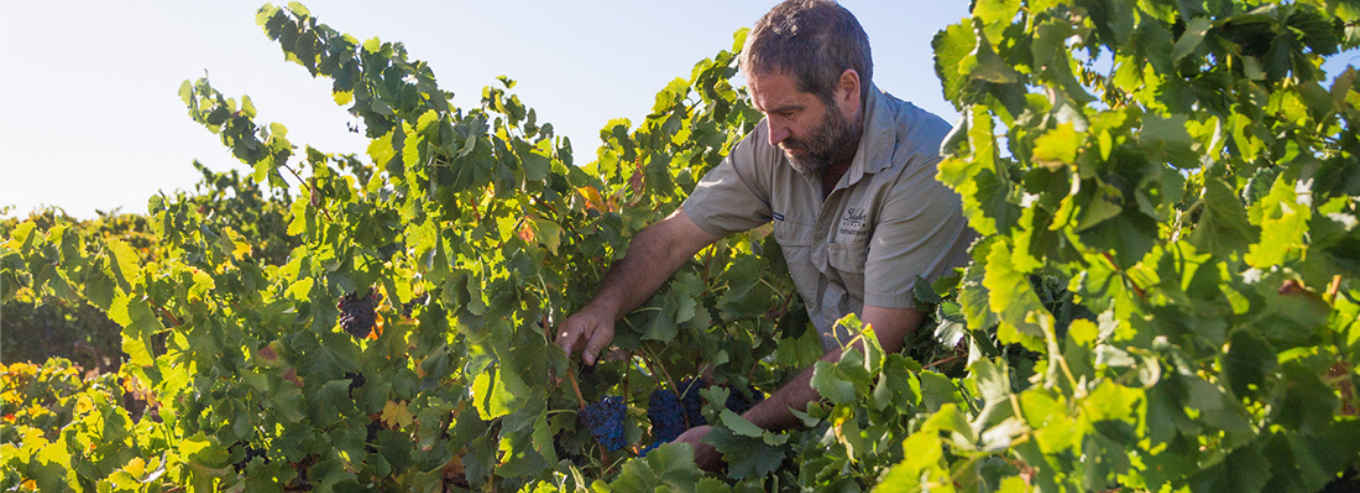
<point>813,133</point>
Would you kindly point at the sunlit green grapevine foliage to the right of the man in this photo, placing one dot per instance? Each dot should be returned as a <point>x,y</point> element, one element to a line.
<point>1202,205</point>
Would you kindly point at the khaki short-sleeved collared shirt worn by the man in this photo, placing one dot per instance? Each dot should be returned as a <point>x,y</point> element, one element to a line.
<point>886,223</point>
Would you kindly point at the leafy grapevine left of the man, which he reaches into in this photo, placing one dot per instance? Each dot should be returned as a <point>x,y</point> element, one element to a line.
<point>475,231</point>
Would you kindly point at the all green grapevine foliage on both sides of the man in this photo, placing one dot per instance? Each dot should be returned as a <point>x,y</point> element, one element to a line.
<point>1165,298</point>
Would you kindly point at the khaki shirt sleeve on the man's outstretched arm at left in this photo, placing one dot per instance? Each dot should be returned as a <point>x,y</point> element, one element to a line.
<point>735,195</point>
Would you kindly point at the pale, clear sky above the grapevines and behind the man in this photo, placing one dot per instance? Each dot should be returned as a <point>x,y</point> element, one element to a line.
<point>90,116</point>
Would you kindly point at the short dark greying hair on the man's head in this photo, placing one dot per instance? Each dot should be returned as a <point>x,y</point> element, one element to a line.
<point>813,42</point>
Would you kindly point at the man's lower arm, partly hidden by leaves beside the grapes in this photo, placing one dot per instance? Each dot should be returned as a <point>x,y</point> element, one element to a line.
<point>890,325</point>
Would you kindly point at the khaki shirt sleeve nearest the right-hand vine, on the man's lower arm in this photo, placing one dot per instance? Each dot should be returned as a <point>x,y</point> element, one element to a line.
<point>923,234</point>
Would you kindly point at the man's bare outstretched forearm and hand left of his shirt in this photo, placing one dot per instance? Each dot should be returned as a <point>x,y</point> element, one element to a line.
<point>656,253</point>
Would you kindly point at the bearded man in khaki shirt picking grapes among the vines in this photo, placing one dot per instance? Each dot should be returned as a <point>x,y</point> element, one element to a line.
<point>844,171</point>
